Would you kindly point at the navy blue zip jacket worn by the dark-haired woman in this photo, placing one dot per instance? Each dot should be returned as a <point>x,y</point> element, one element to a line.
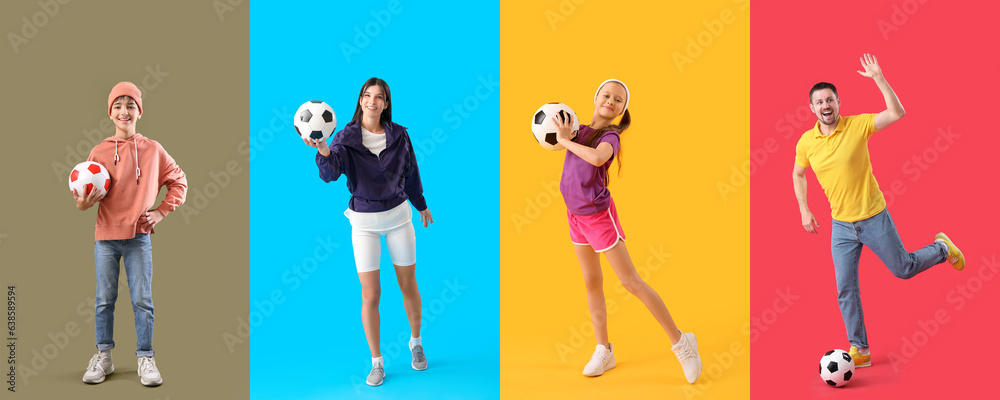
<point>377,183</point>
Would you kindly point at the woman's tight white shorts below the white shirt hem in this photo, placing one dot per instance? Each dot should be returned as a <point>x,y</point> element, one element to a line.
<point>401,241</point>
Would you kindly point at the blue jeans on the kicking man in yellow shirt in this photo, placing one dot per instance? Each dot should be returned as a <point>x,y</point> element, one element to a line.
<point>879,234</point>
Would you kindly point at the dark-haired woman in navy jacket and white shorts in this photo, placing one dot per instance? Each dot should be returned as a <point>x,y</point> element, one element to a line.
<point>376,156</point>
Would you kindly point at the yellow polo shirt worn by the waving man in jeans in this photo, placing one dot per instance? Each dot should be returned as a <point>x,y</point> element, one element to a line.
<point>843,167</point>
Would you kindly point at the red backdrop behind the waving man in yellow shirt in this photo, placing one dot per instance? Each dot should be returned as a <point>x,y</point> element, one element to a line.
<point>942,62</point>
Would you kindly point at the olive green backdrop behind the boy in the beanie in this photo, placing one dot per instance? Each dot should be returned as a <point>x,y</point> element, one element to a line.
<point>193,67</point>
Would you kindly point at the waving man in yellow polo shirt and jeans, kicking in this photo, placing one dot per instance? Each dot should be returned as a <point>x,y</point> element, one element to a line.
<point>837,150</point>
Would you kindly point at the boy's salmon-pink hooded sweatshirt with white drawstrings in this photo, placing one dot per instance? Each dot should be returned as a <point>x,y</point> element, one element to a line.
<point>139,166</point>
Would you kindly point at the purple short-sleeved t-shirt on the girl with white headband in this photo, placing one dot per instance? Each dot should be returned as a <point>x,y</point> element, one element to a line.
<point>583,187</point>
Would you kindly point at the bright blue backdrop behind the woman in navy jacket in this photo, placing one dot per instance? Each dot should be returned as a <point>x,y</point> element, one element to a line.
<point>441,62</point>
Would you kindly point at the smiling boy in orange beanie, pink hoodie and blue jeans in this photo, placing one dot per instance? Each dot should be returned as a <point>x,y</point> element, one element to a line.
<point>124,222</point>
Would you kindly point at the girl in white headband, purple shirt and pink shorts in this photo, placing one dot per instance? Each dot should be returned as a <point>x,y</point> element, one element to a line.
<point>594,227</point>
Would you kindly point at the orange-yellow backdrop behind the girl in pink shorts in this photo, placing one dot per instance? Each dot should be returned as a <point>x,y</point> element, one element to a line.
<point>690,125</point>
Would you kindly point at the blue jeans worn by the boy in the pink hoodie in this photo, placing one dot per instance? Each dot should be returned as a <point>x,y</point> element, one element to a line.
<point>138,255</point>
